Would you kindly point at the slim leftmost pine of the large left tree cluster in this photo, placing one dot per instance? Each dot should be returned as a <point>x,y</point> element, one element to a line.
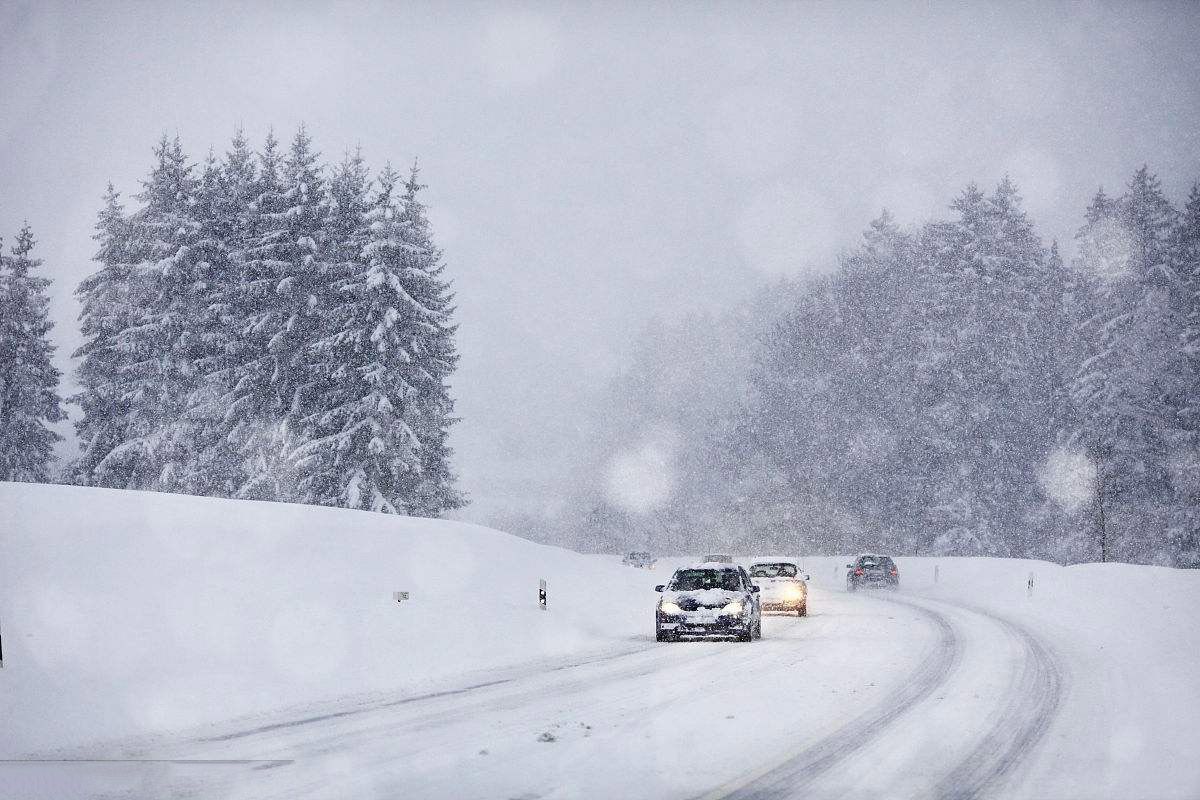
<point>107,308</point>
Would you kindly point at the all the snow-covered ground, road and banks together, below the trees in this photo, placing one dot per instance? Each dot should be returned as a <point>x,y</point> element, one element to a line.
<point>165,646</point>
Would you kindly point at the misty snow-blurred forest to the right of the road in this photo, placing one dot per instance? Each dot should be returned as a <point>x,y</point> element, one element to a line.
<point>955,389</point>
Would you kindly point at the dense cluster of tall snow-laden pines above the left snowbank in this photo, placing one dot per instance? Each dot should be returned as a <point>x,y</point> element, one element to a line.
<point>268,327</point>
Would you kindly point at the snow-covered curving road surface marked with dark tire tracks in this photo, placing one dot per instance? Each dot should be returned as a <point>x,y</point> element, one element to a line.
<point>873,693</point>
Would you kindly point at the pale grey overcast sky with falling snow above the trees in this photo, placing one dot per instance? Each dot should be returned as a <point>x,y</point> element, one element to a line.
<point>595,165</point>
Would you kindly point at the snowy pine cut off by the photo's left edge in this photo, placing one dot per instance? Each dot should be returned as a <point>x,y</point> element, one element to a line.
<point>29,399</point>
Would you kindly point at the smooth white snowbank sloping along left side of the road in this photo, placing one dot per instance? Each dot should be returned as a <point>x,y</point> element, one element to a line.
<point>127,612</point>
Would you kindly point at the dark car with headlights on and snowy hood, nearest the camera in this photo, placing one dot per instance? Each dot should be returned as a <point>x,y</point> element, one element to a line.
<point>709,600</point>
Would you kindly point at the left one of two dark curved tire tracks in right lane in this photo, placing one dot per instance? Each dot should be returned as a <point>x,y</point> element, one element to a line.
<point>797,771</point>
